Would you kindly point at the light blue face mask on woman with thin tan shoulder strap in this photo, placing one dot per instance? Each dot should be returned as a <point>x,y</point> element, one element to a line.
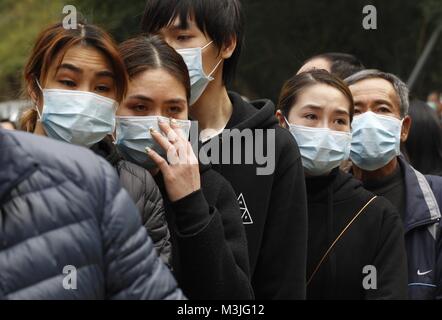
<point>322,149</point>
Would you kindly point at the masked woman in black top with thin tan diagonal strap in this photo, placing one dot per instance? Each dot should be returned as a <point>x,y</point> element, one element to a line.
<point>355,244</point>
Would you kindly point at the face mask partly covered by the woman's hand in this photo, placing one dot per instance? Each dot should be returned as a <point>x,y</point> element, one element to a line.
<point>133,137</point>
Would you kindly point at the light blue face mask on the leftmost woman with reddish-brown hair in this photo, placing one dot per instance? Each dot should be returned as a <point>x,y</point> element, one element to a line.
<point>77,117</point>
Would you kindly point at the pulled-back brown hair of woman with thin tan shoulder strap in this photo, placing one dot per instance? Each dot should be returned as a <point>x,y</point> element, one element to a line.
<point>292,88</point>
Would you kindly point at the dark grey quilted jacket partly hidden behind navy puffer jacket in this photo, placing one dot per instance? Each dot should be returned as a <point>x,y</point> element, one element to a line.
<point>143,190</point>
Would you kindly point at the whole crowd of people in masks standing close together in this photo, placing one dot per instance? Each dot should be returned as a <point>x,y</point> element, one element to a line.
<point>103,176</point>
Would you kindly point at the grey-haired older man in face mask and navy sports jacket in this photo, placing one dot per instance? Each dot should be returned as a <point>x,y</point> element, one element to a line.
<point>380,126</point>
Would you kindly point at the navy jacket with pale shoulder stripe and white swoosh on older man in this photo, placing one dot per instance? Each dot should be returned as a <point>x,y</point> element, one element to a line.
<point>423,237</point>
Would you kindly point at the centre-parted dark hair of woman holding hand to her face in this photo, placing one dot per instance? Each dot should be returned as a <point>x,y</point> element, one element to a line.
<point>148,53</point>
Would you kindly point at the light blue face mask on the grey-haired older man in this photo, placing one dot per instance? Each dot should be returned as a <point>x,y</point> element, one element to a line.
<point>376,140</point>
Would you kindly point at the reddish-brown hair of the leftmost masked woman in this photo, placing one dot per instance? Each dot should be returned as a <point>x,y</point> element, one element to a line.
<point>56,40</point>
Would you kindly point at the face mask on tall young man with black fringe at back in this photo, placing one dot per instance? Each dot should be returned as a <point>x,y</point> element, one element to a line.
<point>193,57</point>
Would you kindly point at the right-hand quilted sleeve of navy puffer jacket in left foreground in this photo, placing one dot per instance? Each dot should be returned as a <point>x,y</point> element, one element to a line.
<point>132,267</point>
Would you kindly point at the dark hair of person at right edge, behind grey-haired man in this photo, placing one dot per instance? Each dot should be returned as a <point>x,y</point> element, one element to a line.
<point>424,144</point>
